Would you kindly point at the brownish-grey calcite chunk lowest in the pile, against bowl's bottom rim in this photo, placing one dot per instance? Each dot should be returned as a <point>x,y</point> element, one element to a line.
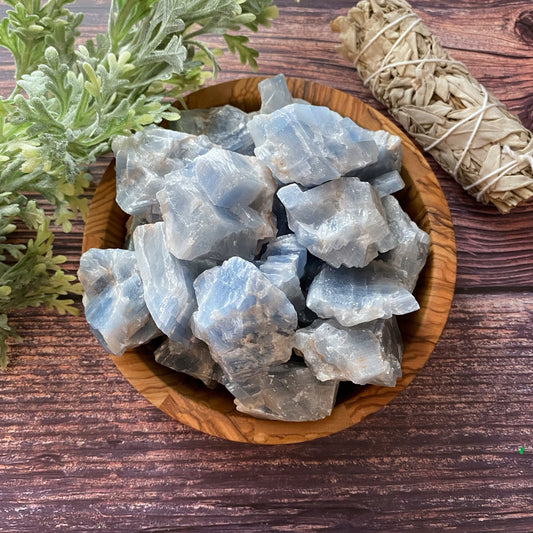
<point>288,392</point>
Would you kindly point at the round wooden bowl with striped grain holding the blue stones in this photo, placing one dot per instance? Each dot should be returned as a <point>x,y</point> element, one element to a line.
<point>213,411</point>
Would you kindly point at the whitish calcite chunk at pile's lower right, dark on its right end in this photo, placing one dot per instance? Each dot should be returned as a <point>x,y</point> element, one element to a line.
<point>366,353</point>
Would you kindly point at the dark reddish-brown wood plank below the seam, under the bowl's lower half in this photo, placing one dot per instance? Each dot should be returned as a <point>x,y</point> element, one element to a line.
<point>80,447</point>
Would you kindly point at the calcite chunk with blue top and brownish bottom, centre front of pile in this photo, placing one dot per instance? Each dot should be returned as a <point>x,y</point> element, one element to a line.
<point>247,322</point>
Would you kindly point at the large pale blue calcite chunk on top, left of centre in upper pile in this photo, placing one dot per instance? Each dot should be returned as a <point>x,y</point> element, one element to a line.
<point>219,206</point>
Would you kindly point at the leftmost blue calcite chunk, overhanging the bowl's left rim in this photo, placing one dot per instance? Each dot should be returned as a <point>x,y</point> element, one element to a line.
<point>114,301</point>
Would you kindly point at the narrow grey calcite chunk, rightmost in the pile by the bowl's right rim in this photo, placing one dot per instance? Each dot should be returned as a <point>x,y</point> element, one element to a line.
<point>411,252</point>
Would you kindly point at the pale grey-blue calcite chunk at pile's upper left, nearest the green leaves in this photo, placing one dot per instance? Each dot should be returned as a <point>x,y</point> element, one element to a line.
<point>143,160</point>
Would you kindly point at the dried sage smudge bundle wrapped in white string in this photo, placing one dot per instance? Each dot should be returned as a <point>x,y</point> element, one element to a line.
<point>468,131</point>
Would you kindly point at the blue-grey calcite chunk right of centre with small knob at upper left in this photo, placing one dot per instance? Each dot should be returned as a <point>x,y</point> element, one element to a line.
<point>341,222</point>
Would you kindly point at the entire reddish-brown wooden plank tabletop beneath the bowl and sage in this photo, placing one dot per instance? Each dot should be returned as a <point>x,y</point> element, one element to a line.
<point>80,450</point>
